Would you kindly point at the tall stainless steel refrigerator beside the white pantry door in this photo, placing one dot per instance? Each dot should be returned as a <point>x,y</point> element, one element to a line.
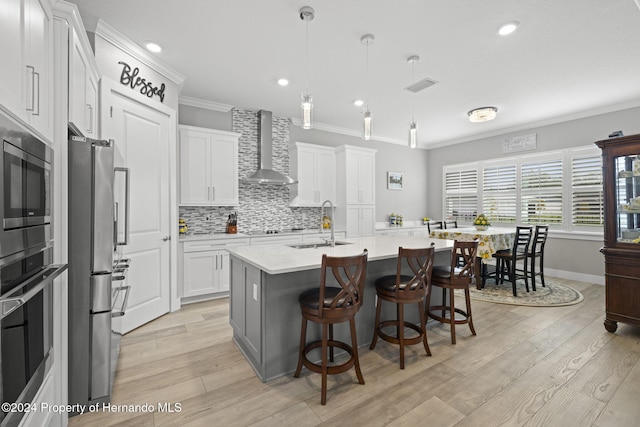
<point>91,248</point>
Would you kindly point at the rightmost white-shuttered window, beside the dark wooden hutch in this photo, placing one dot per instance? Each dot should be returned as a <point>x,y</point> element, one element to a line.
<point>587,204</point>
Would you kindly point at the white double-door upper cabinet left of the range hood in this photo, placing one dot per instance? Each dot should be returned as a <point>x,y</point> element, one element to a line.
<point>208,167</point>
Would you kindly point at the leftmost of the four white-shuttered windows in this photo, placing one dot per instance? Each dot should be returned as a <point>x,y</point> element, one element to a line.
<point>461,194</point>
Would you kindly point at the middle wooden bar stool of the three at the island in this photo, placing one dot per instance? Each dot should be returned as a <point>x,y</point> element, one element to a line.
<point>403,289</point>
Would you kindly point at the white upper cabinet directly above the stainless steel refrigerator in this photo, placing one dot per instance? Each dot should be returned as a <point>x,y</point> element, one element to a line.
<point>83,85</point>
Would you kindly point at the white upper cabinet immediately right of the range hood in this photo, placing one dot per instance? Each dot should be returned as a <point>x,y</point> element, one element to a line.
<point>314,166</point>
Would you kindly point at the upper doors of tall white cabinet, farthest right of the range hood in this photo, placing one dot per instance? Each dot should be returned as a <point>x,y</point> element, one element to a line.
<point>356,168</point>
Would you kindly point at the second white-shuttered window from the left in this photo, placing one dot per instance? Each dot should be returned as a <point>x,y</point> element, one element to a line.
<point>500,193</point>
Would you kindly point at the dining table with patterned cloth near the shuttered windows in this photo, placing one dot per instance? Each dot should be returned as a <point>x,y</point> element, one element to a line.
<point>490,240</point>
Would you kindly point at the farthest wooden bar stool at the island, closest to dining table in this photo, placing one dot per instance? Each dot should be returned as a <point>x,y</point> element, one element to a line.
<point>452,277</point>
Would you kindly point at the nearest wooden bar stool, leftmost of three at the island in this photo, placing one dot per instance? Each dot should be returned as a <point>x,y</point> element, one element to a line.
<point>328,305</point>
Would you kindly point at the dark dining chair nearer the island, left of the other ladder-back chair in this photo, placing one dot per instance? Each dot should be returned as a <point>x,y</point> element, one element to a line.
<point>506,261</point>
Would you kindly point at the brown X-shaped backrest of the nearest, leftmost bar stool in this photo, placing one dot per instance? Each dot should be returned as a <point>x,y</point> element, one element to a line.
<point>350,274</point>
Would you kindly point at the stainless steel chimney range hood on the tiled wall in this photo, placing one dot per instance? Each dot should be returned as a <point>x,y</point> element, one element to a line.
<point>265,174</point>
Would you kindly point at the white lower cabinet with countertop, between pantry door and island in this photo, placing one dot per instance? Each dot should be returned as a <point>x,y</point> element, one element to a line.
<point>205,267</point>
